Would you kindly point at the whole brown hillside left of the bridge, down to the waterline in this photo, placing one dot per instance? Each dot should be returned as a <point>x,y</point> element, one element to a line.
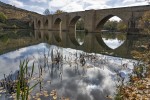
<point>17,18</point>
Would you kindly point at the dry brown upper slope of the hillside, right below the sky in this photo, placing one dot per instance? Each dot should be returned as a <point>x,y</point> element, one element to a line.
<point>13,12</point>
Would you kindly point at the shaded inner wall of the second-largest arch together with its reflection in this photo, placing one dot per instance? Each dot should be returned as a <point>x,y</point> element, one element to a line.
<point>72,30</point>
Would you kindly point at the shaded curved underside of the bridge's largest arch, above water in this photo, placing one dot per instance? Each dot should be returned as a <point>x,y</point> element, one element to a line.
<point>104,20</point>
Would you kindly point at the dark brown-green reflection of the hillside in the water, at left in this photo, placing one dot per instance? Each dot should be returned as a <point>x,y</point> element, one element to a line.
<point>11,40</point>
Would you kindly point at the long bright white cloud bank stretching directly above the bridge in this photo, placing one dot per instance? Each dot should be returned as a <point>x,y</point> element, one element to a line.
<point>80,5</point>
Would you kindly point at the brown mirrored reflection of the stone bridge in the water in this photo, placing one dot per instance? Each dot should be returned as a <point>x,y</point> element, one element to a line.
<point>92,43</point>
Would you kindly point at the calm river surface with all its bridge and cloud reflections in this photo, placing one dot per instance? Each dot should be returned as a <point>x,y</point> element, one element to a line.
<point>104,55</point>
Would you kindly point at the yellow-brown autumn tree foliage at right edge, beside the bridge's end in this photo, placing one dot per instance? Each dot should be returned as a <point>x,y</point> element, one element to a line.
<point>144,23</point>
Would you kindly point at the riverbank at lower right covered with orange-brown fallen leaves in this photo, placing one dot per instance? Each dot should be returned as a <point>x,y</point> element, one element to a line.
<point>138,88</point>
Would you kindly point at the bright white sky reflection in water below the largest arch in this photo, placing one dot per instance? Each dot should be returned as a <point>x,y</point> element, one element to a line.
<point>113,43</point>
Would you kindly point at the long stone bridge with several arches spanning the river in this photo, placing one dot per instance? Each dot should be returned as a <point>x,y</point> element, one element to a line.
<point>93,19</point>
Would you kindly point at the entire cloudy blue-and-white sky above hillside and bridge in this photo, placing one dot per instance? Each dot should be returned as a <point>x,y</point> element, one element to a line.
<point>72,5</point>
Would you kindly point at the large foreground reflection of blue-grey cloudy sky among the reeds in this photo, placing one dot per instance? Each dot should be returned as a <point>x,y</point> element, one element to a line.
<point>76,82</point>
